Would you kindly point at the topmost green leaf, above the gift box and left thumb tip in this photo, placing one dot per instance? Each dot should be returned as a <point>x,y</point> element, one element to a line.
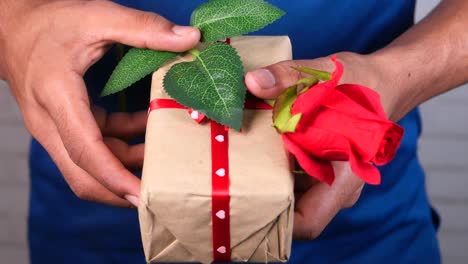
<point>220,19</point>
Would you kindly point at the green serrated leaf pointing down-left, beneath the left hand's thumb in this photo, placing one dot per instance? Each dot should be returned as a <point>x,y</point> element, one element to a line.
<point>134,66</point>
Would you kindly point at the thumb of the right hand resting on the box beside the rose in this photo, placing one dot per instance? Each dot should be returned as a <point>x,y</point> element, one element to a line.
<point>271,81</point>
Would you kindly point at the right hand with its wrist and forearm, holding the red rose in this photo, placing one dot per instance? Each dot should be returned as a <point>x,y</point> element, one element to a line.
<point>429,59</point>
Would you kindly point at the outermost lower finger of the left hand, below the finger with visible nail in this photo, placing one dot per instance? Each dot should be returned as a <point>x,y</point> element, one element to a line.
<point>81,183</point>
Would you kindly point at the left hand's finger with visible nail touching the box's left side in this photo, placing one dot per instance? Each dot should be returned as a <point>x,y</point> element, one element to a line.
<point>81,136</point>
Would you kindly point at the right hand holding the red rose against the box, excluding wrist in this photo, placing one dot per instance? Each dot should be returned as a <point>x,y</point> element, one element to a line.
<point>317,203</point>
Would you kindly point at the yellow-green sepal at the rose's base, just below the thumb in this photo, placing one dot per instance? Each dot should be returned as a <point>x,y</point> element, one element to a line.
<point>283,120</point>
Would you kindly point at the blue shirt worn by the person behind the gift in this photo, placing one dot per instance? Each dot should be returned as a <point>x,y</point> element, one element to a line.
<point>391,223</point>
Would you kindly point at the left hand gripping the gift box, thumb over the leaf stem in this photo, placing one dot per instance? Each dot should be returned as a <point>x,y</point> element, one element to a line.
<point>45,49</point>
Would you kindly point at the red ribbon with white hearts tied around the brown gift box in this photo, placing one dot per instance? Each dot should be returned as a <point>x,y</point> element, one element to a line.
<point>219,175</point>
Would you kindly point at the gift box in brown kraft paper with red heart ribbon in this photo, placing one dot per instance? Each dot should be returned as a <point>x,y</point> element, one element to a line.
<point>213,194</point>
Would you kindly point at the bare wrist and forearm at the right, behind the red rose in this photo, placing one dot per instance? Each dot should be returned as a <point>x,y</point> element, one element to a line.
<point>427,60</point>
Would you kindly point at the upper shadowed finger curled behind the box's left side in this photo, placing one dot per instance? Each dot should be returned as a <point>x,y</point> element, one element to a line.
<point>120,125</point>
